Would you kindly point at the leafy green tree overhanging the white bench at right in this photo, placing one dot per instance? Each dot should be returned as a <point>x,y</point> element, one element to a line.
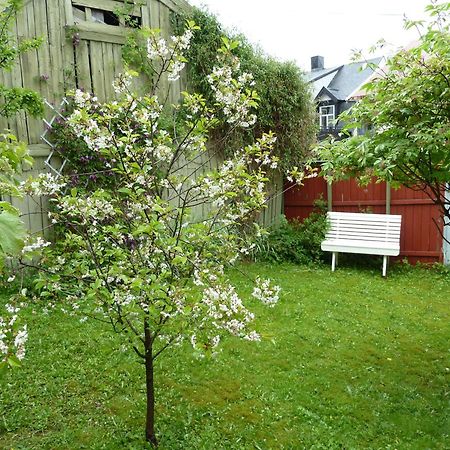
<point>407,106</point>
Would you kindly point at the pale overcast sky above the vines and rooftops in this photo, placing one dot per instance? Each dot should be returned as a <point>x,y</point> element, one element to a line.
<point>298,29</point>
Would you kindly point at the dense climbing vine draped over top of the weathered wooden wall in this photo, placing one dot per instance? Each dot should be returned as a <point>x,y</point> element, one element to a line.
<point>285,102</point>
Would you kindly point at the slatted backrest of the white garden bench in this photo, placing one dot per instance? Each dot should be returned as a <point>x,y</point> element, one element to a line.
<point>364,227</point>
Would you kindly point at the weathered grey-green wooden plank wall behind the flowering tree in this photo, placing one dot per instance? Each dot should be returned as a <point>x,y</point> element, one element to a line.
<point>81,49</point>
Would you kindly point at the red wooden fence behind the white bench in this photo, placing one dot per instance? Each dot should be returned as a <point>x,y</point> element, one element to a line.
<point>420,237</point>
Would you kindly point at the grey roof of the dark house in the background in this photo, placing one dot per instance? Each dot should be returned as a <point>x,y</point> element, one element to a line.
<point>342,81</point>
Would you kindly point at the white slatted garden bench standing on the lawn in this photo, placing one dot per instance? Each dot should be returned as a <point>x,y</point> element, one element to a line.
<point>370,234</point>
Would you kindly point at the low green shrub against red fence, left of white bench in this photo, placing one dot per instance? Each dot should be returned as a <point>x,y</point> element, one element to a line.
<point>294,241</point>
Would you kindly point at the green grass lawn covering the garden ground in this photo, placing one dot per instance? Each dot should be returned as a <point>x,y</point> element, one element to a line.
<point>348,360</point>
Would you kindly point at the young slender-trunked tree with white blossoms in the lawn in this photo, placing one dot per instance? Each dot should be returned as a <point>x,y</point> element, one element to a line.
<point>136,255</point>
